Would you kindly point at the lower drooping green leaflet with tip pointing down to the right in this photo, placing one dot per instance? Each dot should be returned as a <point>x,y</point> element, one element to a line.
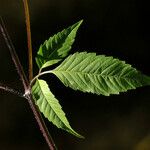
<point>50,106</point>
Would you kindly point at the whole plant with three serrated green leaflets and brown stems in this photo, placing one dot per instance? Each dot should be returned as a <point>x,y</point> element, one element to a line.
<point>82,71</point>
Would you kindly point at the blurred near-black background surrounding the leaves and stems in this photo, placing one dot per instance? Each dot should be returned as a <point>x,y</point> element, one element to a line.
<point>111,27</point>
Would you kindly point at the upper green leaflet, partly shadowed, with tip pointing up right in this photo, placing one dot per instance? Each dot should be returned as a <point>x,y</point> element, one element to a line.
<point>58,46</point>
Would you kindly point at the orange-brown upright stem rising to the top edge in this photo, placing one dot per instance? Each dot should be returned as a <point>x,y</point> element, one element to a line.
<point>29,41</point>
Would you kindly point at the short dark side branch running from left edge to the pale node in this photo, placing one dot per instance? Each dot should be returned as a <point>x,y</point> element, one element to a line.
<point>10,90</point>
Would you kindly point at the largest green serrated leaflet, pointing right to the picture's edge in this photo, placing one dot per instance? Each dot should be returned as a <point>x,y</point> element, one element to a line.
<point>99,74</point>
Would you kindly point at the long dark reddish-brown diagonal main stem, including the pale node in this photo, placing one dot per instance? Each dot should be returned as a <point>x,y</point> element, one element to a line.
<point>27,87</point>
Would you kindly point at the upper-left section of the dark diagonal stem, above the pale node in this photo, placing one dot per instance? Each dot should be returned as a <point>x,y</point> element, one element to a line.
<point>14,55</point>
